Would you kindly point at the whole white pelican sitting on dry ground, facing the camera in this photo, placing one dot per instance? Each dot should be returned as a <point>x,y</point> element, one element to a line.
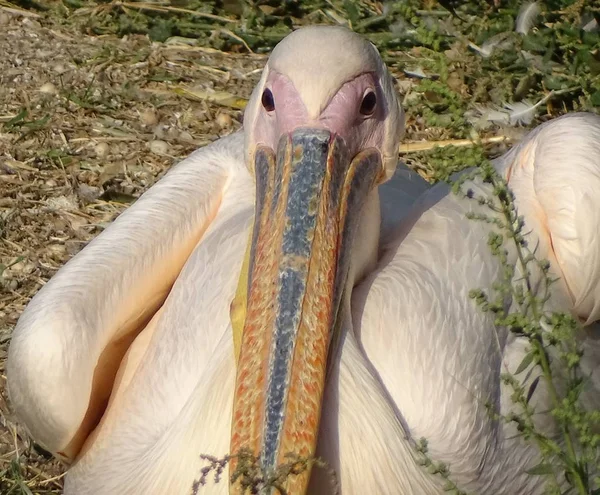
<point>288,290</point>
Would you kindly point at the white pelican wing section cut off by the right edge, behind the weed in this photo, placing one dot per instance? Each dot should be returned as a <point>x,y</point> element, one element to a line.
<point>555,174</point>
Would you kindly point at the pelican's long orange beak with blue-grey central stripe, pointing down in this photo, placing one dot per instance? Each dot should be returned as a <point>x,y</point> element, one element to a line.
<point>308,199</point>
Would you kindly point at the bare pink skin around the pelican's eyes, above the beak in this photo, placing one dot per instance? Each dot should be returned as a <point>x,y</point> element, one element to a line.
<point>341,115</point>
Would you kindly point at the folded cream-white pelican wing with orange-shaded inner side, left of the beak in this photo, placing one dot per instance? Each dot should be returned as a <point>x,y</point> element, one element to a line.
<point>70,341</point>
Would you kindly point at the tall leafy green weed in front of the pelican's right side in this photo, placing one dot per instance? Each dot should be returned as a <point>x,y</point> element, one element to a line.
<point>554,349</point>
